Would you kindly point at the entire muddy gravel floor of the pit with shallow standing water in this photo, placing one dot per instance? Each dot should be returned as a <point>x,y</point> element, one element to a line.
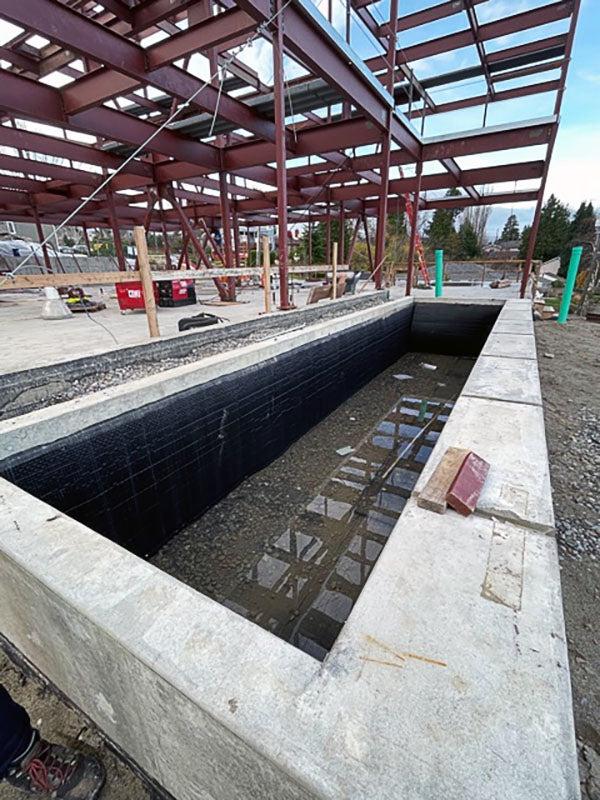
<point>292,546</point>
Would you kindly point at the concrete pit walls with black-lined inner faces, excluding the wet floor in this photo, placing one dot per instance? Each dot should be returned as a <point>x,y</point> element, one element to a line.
<point>449,676</point>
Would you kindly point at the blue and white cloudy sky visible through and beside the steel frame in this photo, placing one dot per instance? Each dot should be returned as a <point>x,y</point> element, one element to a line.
<point>575,169</point>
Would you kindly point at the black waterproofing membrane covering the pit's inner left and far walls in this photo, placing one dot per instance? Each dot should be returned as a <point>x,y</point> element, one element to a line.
<point>141,477</point>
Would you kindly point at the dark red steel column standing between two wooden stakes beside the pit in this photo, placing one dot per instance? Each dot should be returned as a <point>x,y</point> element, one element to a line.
<point>280,152</point>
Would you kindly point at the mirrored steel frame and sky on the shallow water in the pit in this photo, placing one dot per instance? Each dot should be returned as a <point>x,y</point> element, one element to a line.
<point>304,588</point>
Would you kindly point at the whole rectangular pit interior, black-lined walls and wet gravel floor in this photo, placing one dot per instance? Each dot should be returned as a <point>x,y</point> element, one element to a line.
<point>244,488</point>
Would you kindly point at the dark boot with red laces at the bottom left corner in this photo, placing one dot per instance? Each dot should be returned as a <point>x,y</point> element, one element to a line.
<point>51,771</point>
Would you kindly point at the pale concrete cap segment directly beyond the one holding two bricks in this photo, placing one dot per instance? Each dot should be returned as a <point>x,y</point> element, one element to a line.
<point>511,379</point>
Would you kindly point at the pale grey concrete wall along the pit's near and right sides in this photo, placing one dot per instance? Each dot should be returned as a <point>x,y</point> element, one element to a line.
<point>450,679</point>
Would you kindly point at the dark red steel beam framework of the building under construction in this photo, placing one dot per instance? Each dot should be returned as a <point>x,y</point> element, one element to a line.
<point>347,123</point>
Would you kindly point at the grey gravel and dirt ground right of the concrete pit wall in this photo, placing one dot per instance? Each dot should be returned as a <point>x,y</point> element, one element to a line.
<point>570,388</point>
